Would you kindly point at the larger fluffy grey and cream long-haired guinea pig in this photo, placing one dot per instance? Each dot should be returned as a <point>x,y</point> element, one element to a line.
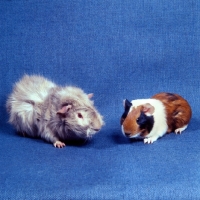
<point>40,108</point>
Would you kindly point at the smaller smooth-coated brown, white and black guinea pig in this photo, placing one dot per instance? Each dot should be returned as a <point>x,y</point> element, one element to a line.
<point>152,118</point>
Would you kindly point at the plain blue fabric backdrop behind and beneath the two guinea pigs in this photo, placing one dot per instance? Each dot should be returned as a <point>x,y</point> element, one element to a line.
<point>116,49</point>
